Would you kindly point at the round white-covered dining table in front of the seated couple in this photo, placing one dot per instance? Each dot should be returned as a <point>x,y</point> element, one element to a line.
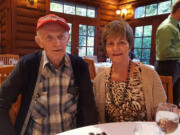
<point>117,128</point>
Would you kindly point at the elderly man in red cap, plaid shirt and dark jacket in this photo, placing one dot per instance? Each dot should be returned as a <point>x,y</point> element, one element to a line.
<point>56,88</point>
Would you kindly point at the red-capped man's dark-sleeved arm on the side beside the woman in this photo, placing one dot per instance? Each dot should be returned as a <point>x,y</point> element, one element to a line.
<point>87,105</point>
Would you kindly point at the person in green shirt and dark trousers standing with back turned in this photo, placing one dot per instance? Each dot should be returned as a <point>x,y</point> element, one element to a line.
<point>168,49</point>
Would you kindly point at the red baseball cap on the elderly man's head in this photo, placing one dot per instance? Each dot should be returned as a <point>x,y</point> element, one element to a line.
<point>51,18</point>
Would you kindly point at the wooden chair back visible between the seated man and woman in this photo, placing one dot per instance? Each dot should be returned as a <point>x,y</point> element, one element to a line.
<point>92,70</point>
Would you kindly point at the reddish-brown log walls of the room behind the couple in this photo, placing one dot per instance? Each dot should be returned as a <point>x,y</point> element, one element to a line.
<point>18,22</point>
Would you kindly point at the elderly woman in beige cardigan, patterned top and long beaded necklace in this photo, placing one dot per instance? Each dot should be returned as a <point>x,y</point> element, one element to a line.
<point>127,91</point>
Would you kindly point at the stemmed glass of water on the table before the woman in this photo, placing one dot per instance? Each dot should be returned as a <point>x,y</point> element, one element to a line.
<point>167,118</point>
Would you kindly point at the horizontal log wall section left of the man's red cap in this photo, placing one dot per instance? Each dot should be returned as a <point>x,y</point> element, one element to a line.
<point>24,26</point>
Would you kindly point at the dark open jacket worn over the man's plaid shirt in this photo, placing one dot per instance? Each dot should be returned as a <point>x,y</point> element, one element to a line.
<point>23,79</point>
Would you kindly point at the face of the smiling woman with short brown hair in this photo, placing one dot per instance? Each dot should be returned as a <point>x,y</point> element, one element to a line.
<point>117,49</point>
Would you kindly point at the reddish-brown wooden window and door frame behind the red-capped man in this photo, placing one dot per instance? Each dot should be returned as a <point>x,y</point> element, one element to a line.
<point>75,20</point>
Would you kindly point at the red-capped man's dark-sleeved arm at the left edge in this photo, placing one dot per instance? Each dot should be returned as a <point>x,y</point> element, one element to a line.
<point>8,94</point>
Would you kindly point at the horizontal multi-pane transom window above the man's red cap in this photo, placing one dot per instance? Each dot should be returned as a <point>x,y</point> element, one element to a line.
<point>70,8</point>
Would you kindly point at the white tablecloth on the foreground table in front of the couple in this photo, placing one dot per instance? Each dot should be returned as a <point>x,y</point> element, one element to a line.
<point>117,128</point>
